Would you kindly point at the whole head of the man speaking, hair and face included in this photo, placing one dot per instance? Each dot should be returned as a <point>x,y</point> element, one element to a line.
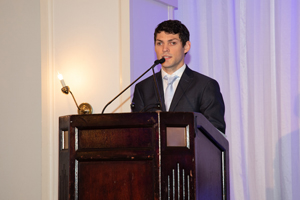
<point>172,43</point>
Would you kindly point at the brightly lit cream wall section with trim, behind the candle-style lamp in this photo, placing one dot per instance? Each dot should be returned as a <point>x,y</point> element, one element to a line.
<point>88,43</point>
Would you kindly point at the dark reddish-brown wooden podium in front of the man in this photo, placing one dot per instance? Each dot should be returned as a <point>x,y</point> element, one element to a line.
<point>159,156</point>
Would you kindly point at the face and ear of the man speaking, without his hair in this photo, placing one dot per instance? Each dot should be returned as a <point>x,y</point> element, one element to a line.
<point>170,47</point>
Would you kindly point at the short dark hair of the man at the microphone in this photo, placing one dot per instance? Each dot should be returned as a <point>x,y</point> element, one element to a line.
<point>173,27</point>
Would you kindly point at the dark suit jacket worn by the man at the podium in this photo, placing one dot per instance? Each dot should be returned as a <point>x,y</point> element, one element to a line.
<point>195,93</point>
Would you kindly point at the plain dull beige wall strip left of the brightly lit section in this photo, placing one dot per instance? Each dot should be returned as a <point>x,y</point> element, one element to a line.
<point>20,89</point>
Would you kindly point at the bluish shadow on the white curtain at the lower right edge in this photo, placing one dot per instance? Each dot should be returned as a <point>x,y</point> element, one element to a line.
<point>286,166</point>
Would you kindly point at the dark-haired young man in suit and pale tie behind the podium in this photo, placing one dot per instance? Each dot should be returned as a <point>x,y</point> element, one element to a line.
<point>188,91</point>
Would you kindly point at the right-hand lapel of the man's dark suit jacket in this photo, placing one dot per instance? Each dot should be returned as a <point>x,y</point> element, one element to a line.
<point>184,83</point>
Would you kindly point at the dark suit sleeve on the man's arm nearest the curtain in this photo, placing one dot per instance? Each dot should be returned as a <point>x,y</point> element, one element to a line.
<point>212,105</point>
